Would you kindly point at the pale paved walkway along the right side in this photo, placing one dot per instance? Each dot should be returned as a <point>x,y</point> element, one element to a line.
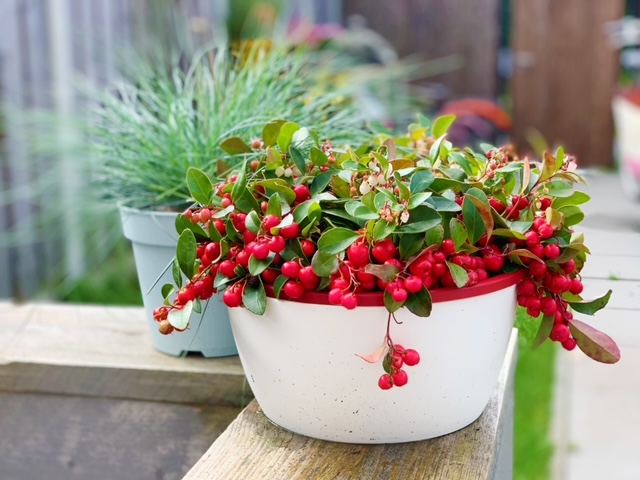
<point>597,414</point>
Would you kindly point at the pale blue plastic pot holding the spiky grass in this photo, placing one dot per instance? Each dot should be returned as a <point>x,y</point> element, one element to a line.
<point>154,239</point>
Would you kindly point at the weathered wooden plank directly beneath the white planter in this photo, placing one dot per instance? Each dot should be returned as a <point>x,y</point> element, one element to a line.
<point>253,447</point>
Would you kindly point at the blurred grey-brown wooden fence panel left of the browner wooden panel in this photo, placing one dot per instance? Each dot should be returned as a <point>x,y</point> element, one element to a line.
<point>433,29</point>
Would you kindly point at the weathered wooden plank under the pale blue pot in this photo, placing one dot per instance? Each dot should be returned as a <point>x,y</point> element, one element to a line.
<point>106,352</point>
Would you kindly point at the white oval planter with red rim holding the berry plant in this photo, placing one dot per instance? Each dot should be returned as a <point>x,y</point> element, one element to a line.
<point>300,360</point>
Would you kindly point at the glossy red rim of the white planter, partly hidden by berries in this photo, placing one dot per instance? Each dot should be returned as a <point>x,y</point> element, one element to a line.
<point>375,299</point>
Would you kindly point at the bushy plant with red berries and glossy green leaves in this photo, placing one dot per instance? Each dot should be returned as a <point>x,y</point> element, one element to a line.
<point>397,218</point>
